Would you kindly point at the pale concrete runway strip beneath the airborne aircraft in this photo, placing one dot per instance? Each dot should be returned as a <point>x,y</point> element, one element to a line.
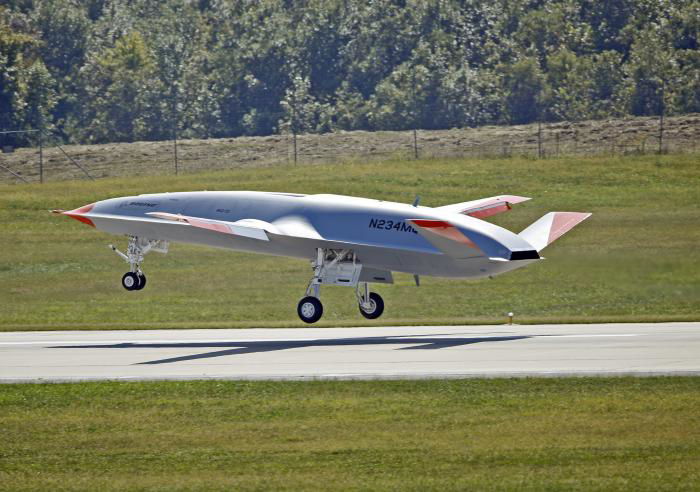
<point>638,349</point>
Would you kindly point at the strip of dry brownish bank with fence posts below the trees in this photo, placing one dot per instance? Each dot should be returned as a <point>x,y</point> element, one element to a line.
<point>53,162</point>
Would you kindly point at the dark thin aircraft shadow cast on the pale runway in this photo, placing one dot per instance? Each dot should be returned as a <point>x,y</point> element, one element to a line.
<point>254,346</point>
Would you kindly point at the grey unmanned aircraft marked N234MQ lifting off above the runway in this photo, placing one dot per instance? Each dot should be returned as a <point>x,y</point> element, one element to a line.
<point>350,241</point>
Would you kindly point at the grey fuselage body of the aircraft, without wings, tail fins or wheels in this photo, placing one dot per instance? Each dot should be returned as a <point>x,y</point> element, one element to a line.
<point>377,231</point>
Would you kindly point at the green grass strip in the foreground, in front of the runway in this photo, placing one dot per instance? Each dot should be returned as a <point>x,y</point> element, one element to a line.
<point>536,434</point>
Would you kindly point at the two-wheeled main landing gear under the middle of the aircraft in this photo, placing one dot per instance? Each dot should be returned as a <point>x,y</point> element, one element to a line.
<point>338,267</point>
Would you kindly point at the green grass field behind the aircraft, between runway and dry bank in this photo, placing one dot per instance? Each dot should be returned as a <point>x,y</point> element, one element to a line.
<point>634,259</point>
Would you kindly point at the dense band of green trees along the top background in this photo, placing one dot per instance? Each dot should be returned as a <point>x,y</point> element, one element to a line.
<point>94,71</point>
